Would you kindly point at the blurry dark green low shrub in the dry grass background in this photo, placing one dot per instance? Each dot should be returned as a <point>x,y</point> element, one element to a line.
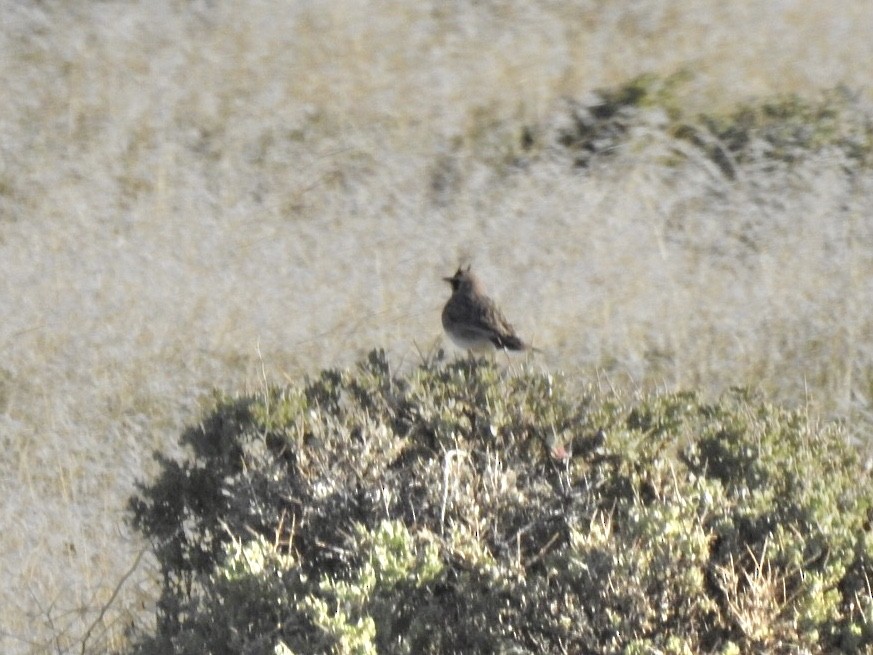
<point>760,137</point>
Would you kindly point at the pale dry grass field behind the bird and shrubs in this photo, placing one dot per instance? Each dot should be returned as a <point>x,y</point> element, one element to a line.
<point>191,191</point>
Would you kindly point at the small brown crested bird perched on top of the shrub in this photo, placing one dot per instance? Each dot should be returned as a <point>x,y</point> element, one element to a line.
<point>471,318</point>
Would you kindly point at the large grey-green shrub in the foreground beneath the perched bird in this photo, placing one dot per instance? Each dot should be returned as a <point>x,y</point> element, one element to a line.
<point>469,508</point>
